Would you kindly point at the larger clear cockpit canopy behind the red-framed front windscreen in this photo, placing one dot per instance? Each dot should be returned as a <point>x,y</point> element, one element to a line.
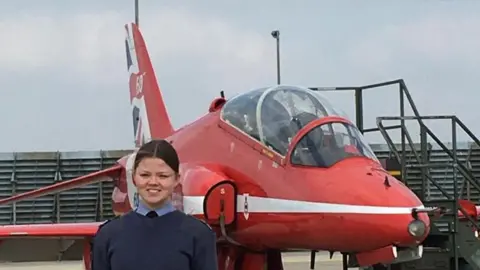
<point>275,115</point>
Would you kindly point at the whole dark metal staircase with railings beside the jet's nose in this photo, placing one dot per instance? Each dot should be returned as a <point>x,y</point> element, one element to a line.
<point>440,174</point>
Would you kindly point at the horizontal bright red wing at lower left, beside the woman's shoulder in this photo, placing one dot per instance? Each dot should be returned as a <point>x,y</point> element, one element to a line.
<point>50,230</point>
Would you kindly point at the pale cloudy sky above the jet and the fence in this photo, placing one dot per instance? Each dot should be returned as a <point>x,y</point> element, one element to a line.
<point>64,81</point>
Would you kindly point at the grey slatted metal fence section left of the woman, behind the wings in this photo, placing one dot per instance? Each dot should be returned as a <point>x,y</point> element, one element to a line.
<point>20,172</point>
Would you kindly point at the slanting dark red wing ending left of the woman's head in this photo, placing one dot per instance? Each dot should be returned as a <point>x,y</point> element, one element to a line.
<point>100,176</point>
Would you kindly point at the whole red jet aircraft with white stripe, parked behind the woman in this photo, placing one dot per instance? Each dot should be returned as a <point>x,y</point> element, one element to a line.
<point>274,169</point>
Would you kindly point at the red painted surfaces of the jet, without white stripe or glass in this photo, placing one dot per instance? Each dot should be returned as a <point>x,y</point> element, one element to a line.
<point>213,151</point>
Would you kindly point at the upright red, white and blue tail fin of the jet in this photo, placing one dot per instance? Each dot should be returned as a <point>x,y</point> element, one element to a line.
<point>150,116</point>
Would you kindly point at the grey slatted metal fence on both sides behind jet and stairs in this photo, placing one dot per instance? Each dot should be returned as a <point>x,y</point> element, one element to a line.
<point>20,172</point>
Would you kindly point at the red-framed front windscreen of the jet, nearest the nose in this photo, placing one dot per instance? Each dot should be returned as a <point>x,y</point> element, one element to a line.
<point>329,143</point>
